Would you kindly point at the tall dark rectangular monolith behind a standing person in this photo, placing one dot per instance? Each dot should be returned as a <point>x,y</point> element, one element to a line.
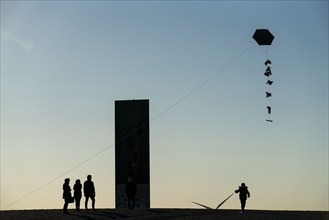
<point>132,154</point>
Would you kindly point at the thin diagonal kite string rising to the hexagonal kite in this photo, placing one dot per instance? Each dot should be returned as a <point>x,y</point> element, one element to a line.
<point>130,133</point>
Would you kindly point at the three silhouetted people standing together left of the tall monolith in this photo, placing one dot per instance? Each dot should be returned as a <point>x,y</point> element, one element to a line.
<point>88,190</point>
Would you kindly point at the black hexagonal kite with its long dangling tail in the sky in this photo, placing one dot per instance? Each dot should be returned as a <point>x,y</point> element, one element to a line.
<point>265,37</point>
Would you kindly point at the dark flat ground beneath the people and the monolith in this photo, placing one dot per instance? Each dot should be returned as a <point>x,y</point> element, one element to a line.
<point>164,214</point>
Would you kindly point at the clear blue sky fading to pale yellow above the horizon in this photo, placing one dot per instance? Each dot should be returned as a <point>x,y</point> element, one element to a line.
<point>64,63</point>
